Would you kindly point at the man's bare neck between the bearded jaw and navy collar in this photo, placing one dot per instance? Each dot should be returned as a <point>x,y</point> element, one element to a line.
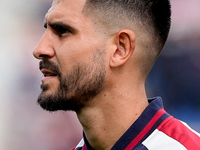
<point>110,114</point>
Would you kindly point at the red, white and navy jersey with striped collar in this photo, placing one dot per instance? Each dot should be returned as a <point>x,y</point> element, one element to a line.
<point>155,129</point>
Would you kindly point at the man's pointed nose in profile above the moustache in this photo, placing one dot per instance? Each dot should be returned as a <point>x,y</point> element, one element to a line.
<point>44,49</point>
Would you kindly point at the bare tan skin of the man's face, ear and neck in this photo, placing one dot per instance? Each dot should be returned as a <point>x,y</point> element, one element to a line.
<point>122,100</point>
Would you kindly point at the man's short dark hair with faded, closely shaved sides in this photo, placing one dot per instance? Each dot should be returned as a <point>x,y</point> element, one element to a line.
<point>152,18</point>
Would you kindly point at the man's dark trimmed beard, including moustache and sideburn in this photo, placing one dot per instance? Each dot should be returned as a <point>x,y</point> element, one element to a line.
<point>77,88</point>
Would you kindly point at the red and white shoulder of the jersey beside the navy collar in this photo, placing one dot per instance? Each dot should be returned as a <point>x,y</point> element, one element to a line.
<point>173,135</point>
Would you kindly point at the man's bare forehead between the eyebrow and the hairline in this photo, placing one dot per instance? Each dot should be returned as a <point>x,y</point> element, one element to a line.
<point>69,11</point>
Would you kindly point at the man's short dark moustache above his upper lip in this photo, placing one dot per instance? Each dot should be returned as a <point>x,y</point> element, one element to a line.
<point>50,65</point>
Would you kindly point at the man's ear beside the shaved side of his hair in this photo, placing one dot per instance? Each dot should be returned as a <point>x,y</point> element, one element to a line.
<point>125,45</point>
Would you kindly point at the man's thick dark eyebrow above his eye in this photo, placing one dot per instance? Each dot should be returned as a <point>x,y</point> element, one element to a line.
<point>60,25</point>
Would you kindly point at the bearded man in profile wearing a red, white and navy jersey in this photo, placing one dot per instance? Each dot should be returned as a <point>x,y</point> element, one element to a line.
<point>95,56</point>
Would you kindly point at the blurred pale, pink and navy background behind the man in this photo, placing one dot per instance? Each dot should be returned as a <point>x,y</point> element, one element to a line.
<point>25,126</point>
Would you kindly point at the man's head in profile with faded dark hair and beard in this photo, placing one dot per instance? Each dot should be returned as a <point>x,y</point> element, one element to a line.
<point>84,40</point>
